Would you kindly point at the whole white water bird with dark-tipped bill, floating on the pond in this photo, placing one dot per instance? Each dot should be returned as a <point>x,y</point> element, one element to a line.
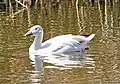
<point>58,44</point>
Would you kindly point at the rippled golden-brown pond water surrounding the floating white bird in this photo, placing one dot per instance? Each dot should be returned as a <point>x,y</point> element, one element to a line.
<point>99,64</point>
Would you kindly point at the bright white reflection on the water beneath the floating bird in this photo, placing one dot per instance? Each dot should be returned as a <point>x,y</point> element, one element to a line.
<point>61,61</point>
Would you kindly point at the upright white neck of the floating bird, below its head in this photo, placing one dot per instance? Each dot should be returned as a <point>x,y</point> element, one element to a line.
<point>36,45</point>
